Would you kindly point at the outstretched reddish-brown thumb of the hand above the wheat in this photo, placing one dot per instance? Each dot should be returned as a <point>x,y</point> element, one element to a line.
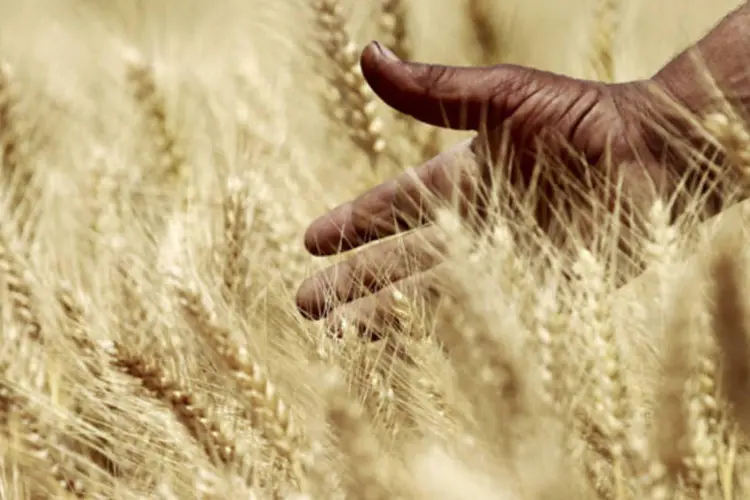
<point>460,98</point>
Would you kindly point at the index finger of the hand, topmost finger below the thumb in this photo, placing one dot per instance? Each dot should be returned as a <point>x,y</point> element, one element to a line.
<point>403,203</point>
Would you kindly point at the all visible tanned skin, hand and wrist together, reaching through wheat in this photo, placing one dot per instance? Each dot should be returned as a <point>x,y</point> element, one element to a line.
<point>526,113</point>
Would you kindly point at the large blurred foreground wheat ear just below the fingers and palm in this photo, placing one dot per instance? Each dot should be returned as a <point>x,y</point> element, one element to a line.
<point>483,344</point>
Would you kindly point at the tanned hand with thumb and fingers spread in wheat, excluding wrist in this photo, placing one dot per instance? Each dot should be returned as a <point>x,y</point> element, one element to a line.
<point>539,113</point>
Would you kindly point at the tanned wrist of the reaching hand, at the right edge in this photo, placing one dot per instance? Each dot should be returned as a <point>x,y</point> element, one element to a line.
<point>711,76</point>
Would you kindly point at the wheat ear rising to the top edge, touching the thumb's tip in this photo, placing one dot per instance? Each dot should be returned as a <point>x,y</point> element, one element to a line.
<point>353,105</point>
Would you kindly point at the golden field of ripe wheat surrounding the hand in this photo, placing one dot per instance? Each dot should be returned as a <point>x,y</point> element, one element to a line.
<point>160,162</point>
